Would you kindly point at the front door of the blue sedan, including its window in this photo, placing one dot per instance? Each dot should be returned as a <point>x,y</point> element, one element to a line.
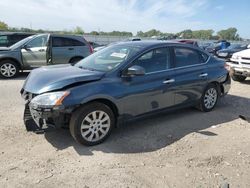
<point>152,91</point>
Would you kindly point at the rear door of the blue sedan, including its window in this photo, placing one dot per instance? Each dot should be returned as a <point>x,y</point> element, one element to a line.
<point>190,74</point>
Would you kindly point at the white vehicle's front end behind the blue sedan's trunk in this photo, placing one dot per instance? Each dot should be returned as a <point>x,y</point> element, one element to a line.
<point>240,65</point>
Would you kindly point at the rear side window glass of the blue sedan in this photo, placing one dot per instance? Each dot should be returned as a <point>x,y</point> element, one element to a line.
<point>187,57</point>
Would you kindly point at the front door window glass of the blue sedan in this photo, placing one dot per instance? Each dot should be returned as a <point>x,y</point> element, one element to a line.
<point>155,60</point>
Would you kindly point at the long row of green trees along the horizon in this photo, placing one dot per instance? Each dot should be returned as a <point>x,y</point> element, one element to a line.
<point>227,34</point>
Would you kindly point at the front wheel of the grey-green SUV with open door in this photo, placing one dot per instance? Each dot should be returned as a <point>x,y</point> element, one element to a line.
<point>9,69</point>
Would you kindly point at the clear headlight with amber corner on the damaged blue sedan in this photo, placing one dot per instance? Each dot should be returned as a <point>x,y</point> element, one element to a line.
<point>50,99</point>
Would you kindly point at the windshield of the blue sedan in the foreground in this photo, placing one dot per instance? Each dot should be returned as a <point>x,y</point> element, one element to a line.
<point>108,58</point>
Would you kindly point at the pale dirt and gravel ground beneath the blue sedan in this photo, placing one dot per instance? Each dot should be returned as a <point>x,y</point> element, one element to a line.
<point>187,148</point>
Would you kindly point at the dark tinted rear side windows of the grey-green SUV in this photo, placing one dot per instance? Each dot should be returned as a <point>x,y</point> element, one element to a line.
<point>61,42</point>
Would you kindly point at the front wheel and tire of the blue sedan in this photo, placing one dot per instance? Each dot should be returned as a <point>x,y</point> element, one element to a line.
<point>89,130</point>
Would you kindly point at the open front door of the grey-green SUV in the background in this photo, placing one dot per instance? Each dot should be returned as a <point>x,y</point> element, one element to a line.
<point>34,53</point>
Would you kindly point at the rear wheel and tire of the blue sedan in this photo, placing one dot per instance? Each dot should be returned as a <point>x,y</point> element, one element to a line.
<point>209,98</point>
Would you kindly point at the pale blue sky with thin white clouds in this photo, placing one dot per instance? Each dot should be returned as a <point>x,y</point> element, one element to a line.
<point>128,15</point>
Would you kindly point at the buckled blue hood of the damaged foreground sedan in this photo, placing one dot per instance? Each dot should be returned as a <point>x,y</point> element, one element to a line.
<point>56,77</point>
